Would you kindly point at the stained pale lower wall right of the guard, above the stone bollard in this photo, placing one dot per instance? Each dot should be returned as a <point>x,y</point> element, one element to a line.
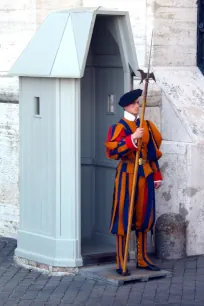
<point>182,163</point>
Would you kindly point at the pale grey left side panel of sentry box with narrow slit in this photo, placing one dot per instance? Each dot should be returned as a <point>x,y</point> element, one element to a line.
<point>37,173</point>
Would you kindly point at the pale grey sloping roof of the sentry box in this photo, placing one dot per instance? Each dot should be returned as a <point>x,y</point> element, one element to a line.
<point>60,46</point>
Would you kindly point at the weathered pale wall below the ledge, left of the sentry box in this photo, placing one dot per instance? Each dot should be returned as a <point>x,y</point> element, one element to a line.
<point>9,169</point>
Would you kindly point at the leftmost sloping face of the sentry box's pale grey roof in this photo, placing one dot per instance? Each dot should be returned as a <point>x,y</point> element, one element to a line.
<point>38,57</point>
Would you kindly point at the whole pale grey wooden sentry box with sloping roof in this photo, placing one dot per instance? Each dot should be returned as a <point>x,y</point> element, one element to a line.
<point>72,74</point>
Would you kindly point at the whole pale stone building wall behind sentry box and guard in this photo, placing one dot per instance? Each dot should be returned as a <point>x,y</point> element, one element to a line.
<point>175,102</point>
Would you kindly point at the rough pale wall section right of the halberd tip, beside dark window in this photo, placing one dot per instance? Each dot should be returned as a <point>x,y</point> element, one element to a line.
<point>175,26</point>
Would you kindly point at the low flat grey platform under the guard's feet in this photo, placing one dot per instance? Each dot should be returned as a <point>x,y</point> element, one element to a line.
<point>107,273</point>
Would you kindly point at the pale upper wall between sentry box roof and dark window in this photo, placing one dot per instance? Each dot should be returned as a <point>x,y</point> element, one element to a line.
<point>174,25</point>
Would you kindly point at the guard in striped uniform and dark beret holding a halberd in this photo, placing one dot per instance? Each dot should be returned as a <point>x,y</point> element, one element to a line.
<point>121,145</point>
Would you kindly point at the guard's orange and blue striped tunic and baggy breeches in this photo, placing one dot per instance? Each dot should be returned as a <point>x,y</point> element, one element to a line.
<point>119,146</point>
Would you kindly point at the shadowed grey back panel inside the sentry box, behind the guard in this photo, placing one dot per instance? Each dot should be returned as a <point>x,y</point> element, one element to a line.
<point>113,83</point>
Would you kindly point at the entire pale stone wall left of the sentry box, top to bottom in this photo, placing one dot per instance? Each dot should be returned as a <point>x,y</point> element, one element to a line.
<point>18,22</point>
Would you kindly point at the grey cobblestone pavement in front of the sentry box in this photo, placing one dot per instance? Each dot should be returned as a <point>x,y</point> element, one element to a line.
<point>25,287</point>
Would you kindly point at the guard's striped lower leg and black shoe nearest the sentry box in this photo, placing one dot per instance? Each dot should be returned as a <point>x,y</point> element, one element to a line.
<point>120,252</point>
